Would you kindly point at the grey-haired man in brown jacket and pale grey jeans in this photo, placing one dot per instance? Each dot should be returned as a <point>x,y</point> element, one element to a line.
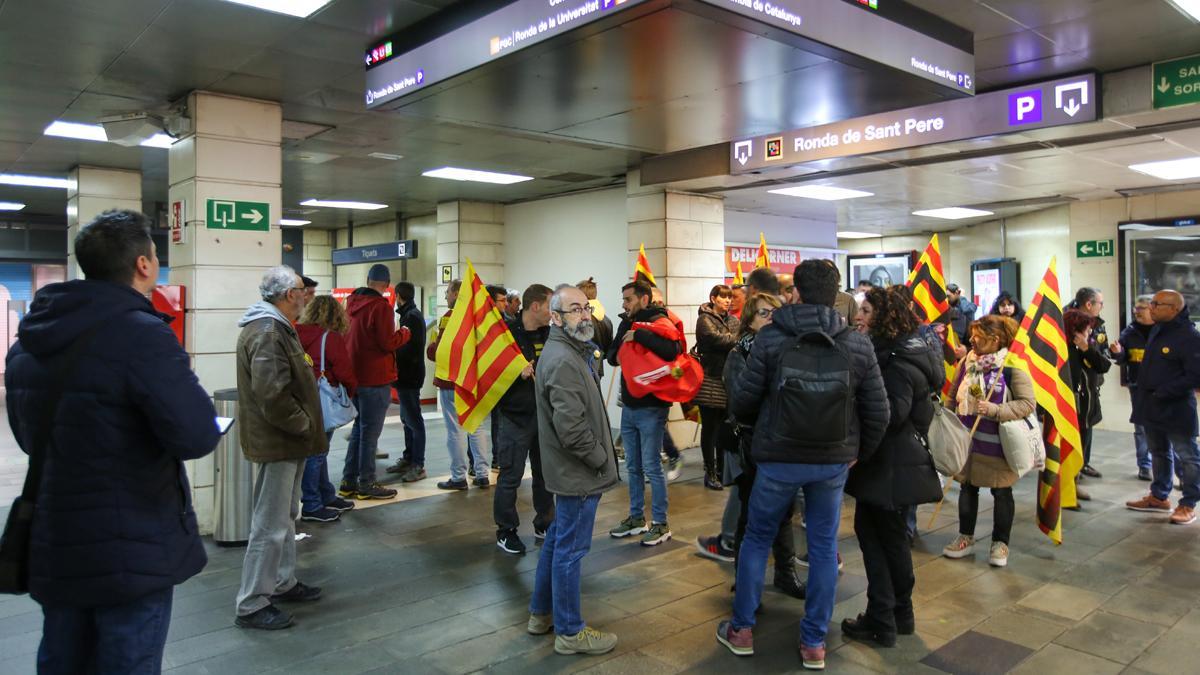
<point>279,413</point>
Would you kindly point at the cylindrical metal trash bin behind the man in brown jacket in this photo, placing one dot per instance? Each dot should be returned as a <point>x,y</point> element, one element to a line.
<point>235,481</point>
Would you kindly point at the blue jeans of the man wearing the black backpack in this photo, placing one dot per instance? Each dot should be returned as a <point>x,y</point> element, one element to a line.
<point>775,491</point>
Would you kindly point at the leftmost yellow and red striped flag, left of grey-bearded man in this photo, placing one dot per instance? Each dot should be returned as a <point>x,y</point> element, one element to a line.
<point>478,354</point>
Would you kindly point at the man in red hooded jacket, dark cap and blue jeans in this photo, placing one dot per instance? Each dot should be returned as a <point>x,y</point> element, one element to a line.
<point>374,341</point>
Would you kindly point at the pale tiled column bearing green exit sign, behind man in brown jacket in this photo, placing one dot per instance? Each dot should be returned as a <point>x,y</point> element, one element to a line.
<point>235,154</point>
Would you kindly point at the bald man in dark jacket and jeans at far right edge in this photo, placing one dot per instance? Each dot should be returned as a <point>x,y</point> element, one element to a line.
<point>1167,407</point>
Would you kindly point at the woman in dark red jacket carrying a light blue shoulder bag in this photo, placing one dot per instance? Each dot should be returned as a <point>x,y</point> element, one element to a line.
<point>325,321</point>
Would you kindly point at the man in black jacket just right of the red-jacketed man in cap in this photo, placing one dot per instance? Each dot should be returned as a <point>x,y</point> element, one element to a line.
<point>410,380</point>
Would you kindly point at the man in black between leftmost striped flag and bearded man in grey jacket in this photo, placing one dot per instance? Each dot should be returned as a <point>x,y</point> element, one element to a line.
<point>517,432</point>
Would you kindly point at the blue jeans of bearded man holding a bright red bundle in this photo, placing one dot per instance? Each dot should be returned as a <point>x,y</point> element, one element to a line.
<point>641,431</point>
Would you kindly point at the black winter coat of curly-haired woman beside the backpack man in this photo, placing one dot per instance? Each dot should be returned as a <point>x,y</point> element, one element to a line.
<point>902,471</point>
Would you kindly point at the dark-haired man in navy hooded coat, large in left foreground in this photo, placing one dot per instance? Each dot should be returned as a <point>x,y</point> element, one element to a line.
<point>115,530</point>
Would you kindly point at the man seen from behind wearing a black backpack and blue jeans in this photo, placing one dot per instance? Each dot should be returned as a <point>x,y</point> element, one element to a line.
<point>819,397</point>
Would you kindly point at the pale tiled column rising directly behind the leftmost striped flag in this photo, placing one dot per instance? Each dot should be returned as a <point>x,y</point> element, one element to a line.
<point>470,230</point>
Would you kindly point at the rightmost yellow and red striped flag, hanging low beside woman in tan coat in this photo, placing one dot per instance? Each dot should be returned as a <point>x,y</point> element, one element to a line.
<point>1041,350</point>
